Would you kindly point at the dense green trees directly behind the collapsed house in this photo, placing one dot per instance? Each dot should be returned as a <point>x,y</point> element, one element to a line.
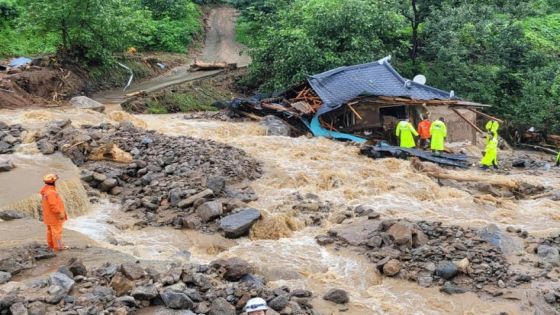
<point>501,52</point>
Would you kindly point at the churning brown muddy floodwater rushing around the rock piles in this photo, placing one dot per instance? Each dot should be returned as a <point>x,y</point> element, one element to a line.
<point>331,170</point>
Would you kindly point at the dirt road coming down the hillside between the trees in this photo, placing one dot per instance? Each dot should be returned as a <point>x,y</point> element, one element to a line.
<point>219,45</point>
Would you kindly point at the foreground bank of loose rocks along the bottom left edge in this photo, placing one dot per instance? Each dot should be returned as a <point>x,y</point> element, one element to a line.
<point>223,287</point>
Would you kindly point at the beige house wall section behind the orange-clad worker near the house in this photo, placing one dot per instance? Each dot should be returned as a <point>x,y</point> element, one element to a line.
<point>457,128</point>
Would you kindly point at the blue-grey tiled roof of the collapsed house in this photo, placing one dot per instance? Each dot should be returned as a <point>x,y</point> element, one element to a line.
<point>340,85</point>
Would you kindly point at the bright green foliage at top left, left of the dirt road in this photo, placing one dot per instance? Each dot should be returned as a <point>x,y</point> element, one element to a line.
<point>92,30</point>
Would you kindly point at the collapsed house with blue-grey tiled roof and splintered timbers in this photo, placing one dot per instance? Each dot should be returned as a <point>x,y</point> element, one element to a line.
<point>365,102</point>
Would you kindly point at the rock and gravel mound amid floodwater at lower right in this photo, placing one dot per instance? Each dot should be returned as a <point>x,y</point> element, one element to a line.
<point>429,253</point>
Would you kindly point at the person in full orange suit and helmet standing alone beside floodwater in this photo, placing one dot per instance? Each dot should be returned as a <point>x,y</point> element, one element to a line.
<point>54,214</point>
